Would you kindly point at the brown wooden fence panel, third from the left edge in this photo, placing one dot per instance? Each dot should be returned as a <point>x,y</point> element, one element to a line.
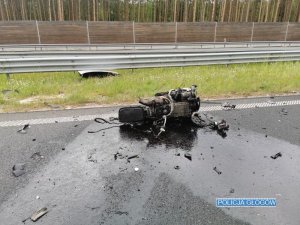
<point>111,32</point>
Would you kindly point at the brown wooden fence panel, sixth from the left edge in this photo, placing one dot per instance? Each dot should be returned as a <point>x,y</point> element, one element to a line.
<point>234,32</point>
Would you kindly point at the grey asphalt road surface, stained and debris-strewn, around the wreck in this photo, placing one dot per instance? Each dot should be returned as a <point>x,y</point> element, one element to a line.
<point>78,177</point>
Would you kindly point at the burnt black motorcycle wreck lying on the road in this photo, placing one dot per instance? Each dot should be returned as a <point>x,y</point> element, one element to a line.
<point>176,104</point>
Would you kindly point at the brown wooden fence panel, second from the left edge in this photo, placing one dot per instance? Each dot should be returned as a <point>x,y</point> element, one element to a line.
<point>63,32</point>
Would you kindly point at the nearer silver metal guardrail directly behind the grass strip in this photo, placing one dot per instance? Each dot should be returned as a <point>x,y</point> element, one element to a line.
<point>106,61</point>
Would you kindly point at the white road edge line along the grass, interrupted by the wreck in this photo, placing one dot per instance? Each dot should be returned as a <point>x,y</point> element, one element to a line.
<point>14,123</point>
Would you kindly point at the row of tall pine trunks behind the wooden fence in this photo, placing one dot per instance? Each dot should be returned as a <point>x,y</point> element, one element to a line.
<point>152,10</point>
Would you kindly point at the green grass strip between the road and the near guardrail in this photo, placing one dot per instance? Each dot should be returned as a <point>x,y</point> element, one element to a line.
<point>213,81</point>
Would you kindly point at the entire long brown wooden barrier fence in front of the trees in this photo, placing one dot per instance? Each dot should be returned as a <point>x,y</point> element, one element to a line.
<point>67,32</point>
